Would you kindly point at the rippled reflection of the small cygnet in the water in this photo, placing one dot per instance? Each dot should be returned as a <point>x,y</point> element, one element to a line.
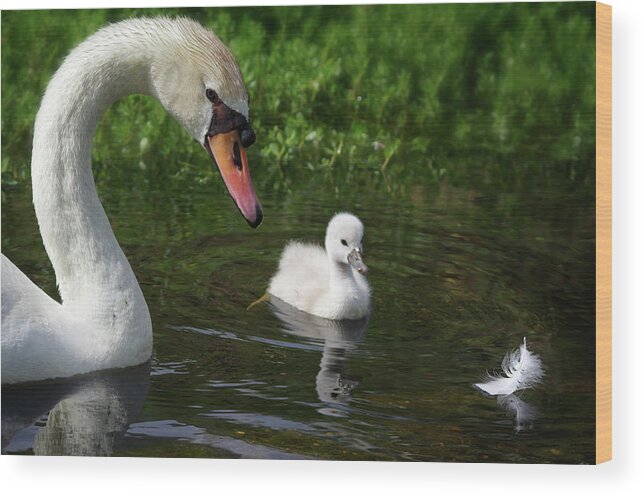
<point>339,337</point>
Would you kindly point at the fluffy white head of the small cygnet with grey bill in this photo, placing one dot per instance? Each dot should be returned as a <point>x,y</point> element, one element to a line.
<point>344,237</point>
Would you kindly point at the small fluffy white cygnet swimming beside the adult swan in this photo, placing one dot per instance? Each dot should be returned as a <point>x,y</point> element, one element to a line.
<point>328,283</point>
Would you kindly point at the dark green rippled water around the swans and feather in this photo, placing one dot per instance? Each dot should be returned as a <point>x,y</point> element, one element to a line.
<point>459,276</point>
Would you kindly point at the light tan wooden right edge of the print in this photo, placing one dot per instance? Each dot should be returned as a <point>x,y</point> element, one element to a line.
<point>603,232</point>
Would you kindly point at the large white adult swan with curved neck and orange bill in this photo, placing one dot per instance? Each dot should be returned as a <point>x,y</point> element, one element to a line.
<point>103,321</point>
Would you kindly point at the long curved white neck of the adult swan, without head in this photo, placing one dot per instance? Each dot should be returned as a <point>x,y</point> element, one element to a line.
<point>93,275</point>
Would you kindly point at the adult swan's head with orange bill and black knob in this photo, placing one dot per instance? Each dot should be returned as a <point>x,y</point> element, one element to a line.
<point>198,81</point>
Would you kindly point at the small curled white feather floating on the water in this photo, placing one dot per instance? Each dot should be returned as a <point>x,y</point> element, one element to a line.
<point>522,369</point>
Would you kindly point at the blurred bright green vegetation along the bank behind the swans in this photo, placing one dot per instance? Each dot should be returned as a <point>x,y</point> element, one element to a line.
<point>495,94</point>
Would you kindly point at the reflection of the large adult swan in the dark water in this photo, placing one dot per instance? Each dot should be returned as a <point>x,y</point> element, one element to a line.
<point>84,415</point>
